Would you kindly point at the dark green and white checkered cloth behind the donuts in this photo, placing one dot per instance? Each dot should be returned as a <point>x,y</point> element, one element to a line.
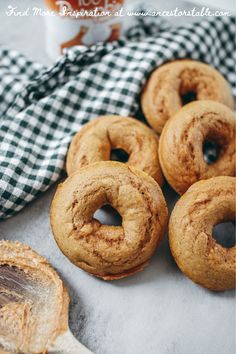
<point>41,109</point>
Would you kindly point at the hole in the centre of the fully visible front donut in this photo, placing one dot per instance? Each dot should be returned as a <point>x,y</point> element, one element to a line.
<point>107,215</point>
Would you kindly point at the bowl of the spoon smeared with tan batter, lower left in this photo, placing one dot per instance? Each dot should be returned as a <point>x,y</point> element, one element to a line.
<point>33,300</point>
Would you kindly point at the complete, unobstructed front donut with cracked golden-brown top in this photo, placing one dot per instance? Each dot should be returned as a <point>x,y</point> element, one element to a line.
<point>109,252</point>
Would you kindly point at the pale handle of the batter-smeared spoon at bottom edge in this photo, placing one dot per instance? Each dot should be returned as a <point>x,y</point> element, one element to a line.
<point>66,343</point>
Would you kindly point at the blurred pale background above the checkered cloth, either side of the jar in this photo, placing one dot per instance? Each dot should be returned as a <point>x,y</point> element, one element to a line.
<point>27,34</point>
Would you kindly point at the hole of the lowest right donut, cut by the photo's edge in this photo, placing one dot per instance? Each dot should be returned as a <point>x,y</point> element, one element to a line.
<point>224,234</point>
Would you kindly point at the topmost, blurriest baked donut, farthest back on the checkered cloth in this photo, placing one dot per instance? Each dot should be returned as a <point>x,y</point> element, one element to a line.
<point>175,83</point>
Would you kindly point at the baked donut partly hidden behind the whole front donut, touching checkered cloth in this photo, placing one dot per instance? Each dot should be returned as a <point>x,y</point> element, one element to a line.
<point>95,141</point>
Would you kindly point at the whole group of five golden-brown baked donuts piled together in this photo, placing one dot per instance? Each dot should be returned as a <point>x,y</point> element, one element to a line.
<point>175,146</point>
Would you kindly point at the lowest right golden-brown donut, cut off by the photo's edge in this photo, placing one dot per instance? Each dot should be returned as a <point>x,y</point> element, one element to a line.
<point>205,204</point>
